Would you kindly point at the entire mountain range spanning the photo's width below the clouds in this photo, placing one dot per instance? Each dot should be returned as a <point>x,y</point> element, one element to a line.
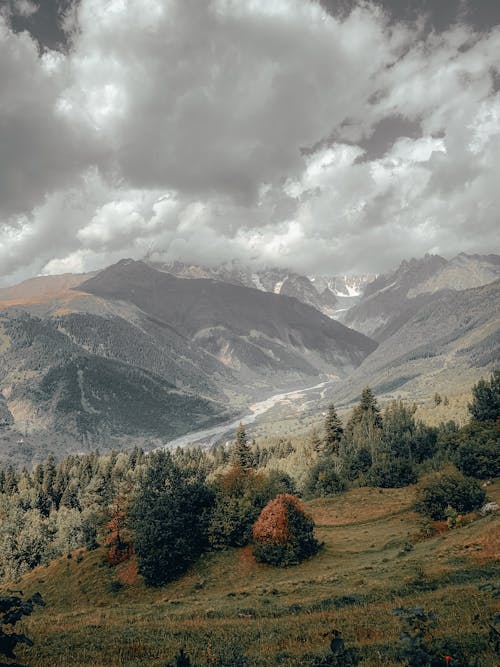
<point>140,353</point>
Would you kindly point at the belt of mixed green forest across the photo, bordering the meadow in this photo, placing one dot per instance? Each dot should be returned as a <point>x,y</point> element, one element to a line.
<point>169,507</point>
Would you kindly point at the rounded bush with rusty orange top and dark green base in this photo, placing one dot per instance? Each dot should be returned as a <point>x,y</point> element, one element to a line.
<point>283,533</point>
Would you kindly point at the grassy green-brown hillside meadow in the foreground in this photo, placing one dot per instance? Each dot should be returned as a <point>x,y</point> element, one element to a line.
<point>372,561</point>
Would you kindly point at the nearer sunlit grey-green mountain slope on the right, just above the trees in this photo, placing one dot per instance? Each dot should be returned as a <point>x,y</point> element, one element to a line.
<point>443,344</point>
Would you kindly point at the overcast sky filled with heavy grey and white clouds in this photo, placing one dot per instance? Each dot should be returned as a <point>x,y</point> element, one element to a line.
<point>338,136</point>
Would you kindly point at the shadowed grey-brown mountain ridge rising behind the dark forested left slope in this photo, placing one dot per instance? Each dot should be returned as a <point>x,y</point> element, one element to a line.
<point>214,313</point>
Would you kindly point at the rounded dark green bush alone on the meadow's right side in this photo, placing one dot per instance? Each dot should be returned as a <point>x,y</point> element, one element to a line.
<point>454,490</point>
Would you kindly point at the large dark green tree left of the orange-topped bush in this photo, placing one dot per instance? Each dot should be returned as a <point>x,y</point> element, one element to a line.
<point>169,519</point>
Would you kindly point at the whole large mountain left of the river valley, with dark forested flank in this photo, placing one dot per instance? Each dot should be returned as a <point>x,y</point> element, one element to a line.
<point>132,353</point>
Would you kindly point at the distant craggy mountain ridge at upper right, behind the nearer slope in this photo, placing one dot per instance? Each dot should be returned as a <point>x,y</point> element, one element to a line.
<point>393,298</point>
